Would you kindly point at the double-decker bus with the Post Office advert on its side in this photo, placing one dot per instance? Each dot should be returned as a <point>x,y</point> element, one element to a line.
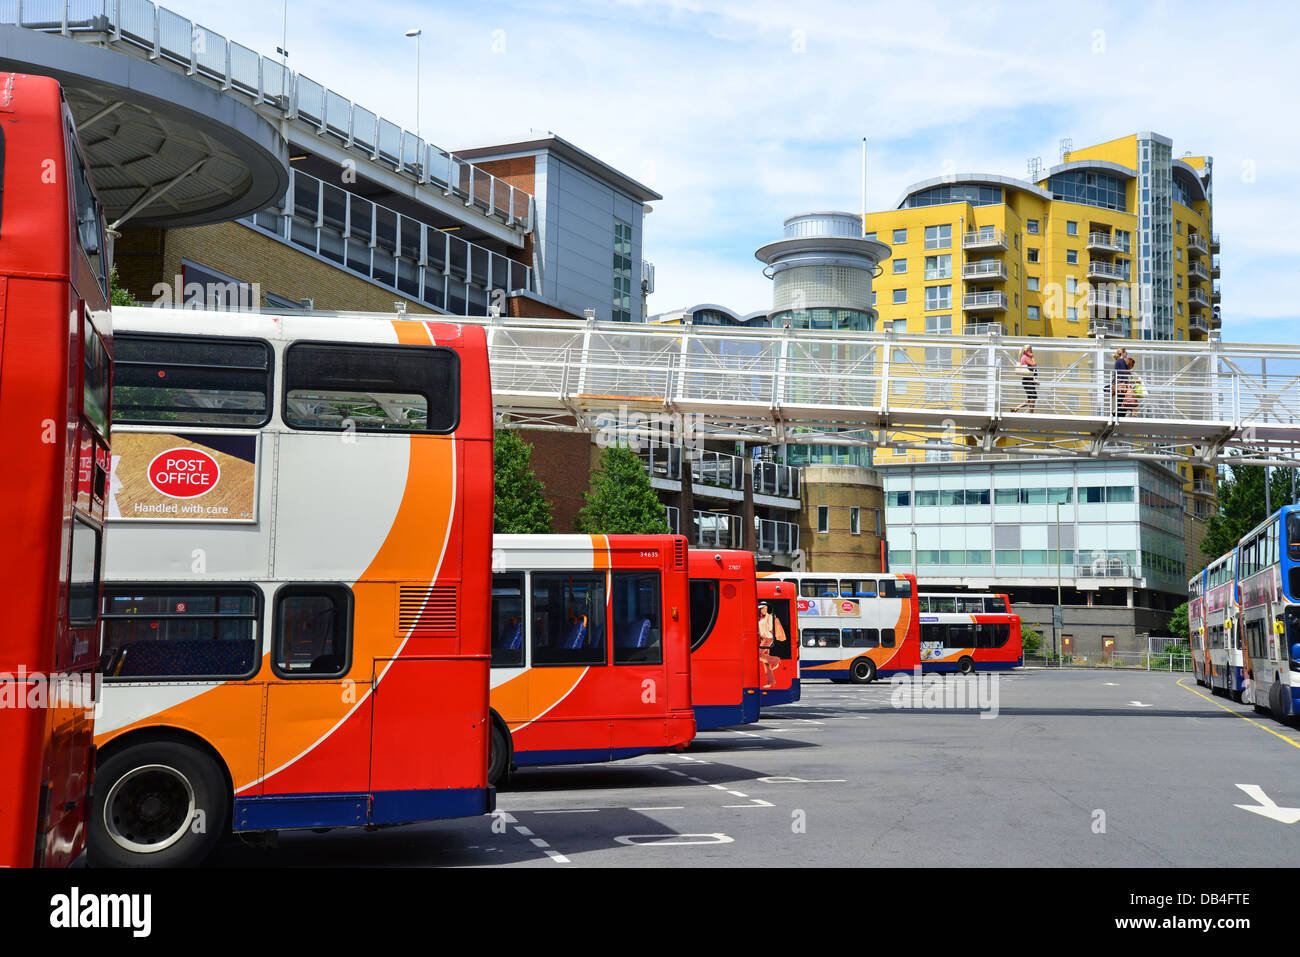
<point>297,581</point>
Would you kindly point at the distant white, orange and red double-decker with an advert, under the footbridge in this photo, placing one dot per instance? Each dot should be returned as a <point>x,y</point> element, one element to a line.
<point>857,627</point>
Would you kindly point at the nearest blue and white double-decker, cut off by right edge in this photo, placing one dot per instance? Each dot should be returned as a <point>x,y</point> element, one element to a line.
<point>1269,588</point>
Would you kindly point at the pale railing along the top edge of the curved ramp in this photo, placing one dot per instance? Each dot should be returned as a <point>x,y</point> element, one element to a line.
<point>161,34</point>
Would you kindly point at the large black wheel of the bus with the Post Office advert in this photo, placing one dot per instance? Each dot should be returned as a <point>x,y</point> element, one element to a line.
<point>162,804</point>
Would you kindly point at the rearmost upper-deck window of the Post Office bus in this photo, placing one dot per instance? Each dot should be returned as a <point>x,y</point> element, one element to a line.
<point>372,388</point>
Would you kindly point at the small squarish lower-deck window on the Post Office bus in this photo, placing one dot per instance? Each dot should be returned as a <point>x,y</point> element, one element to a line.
<point>313,631</point>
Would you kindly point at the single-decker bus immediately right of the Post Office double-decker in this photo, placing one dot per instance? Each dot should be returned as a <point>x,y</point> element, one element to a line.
<point>591,649</point>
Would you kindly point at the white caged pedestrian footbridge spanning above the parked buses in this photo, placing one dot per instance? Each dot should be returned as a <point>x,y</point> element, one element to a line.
<point>1202,402</point>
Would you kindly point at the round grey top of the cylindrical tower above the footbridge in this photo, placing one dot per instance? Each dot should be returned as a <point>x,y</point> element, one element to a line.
<point>822,272</point>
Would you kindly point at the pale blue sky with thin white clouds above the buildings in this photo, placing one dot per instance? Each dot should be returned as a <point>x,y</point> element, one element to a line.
<point>743,114</point>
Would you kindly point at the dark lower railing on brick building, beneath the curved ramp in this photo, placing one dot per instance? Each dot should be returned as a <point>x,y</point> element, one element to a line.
<point>409,257</point>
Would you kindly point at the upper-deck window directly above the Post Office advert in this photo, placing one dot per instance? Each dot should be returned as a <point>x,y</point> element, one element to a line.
<point>192,380</point>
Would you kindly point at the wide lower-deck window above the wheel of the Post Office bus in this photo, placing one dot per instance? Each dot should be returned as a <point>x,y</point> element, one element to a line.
<point>163,634</point>
